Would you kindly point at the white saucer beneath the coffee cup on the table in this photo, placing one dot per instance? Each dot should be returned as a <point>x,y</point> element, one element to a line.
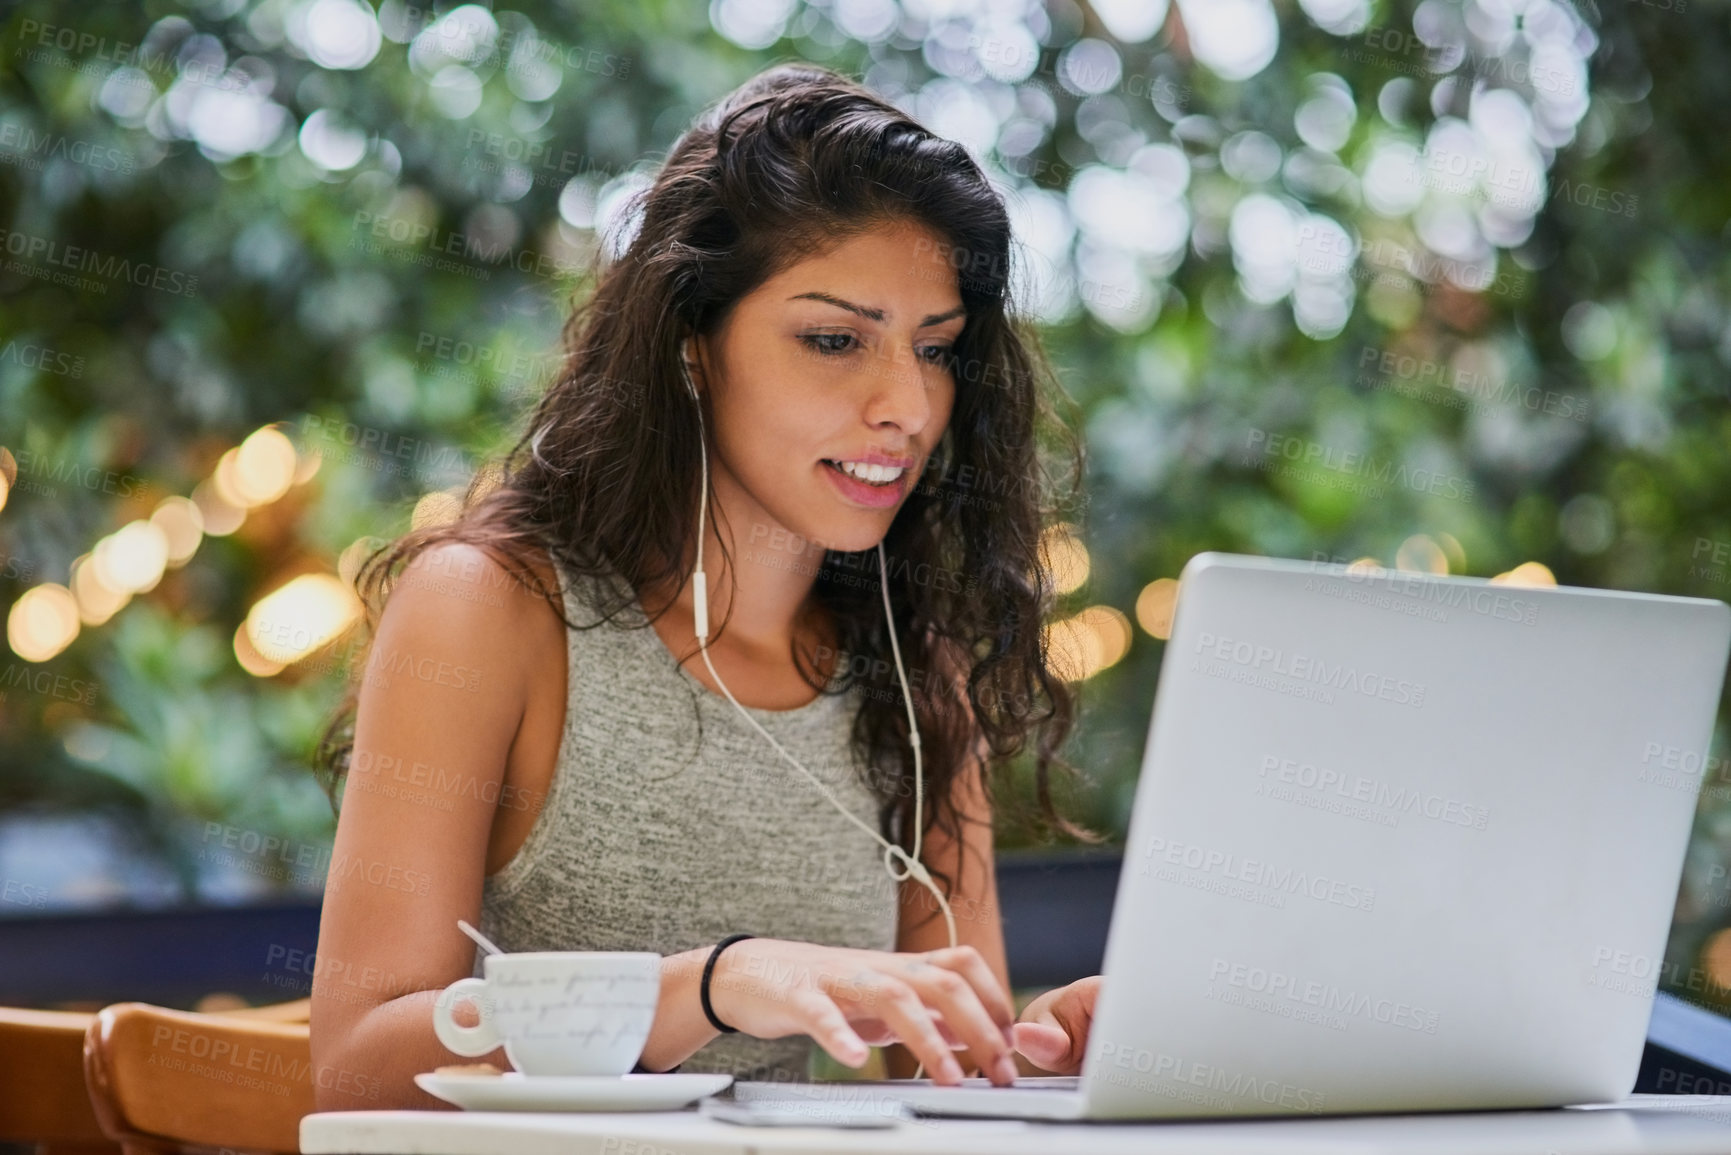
<point>517,1092</point>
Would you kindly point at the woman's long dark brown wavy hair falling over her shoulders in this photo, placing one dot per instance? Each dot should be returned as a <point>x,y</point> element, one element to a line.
<point>605,477</point>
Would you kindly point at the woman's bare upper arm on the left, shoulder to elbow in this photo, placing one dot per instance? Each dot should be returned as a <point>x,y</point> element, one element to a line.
<point>441,704</point>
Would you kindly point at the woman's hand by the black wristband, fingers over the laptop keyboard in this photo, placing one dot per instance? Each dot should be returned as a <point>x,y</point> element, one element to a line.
<point>847,1000</point>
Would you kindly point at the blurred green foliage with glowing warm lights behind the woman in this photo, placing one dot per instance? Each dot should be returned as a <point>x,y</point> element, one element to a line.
<point>280,276</point>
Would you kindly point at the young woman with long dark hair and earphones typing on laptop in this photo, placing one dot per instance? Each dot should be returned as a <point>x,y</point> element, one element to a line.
<point>804,363</point>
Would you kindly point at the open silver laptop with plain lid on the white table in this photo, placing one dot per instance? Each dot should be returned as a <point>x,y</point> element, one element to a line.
<point>1401,842</point>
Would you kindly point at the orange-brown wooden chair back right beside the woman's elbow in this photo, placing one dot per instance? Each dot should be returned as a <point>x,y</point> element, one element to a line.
<point>160,1080</point>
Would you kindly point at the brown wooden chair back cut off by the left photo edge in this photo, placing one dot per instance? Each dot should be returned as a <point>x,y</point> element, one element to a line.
<point>42,1074</point>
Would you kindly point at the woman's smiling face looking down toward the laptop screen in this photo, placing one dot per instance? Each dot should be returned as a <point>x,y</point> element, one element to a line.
<point>830,387</point>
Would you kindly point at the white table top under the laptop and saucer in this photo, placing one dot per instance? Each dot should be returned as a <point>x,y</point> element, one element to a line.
<point>1676,1126</point>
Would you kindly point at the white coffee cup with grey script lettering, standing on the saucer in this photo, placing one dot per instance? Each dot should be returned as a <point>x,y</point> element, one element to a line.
<point>557,1012</point>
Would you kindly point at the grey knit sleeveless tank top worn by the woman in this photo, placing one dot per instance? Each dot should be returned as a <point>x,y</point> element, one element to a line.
<point>671,823</point>
